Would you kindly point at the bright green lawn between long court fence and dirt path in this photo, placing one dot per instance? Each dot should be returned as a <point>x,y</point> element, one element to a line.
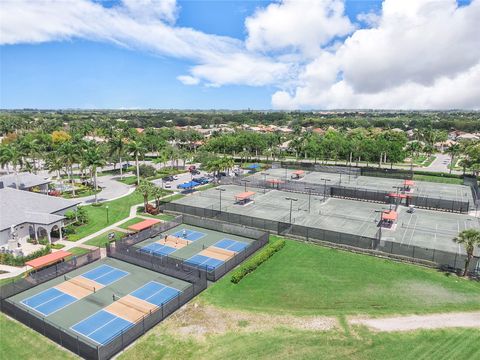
<point>305,279</point>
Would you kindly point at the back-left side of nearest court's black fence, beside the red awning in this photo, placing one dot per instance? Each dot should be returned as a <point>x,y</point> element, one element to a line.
<point>35,278</point>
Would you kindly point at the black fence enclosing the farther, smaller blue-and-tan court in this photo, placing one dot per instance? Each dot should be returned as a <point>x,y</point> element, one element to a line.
<point>175,266</point>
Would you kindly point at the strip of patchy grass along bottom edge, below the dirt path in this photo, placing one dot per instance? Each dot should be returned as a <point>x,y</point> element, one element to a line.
<point>282,343</point>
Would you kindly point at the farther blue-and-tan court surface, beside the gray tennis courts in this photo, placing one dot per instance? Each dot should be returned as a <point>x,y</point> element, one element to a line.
<point>199,247</point>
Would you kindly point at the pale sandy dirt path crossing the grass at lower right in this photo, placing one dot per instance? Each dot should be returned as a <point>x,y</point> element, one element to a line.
<point>416,322</point>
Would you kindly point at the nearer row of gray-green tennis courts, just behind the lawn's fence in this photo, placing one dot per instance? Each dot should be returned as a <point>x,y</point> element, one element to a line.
<point>424,228</point>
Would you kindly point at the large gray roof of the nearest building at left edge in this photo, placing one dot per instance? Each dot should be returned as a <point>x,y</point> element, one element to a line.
<point>18,207</point>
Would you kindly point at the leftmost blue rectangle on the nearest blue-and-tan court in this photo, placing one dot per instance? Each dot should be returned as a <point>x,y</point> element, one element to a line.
<point>49,301</point>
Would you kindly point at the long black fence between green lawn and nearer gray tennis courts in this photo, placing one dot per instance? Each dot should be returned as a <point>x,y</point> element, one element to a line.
<point>431,257</point>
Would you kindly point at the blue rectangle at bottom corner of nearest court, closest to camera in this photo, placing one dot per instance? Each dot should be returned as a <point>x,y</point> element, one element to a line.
<point>101,326</point>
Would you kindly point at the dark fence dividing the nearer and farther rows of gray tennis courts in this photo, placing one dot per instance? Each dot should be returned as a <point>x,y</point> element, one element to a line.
<point>351,193</point>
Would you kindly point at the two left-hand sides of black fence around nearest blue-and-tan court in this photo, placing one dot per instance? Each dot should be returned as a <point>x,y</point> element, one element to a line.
<point>43,326</point>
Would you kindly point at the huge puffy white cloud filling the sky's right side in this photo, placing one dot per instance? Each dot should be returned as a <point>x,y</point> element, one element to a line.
<point>422,54</point>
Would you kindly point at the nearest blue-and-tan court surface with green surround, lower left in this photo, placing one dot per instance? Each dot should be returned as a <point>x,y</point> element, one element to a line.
<point>98,301</point>
